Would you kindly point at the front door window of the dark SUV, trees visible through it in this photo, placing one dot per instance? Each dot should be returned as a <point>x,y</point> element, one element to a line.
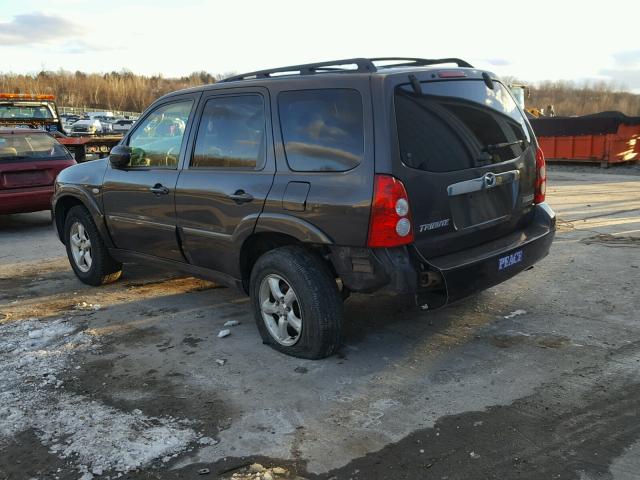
<point>158,139</point>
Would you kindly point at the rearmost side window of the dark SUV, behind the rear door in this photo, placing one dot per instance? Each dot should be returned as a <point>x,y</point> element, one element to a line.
<point>322,130</point>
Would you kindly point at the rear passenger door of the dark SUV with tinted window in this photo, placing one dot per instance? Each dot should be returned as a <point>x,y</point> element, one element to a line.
<point>222,190</point>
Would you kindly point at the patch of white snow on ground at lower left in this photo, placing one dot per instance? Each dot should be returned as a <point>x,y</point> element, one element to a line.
<point>93,436</point>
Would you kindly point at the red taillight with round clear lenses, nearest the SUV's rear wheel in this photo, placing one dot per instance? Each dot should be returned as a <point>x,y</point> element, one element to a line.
<point>390,224</point>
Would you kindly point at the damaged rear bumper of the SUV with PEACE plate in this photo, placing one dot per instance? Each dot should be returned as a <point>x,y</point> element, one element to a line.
<point>437,281</point>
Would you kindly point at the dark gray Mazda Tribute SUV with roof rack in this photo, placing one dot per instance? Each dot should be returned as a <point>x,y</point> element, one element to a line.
<point>419,178</point>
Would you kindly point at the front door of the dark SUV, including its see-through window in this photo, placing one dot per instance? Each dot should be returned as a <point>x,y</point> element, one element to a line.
<point>139,199</point>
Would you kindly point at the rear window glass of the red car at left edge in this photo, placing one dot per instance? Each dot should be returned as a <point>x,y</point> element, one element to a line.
<point>38,146</point>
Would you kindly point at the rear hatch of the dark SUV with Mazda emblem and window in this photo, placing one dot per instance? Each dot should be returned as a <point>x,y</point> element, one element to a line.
<point>467,160</point>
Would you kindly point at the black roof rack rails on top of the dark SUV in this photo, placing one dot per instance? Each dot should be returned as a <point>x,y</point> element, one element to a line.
<point>362,65</point>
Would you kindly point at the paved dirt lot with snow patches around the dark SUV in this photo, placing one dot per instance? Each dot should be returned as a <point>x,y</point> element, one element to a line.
<point>536,378</point>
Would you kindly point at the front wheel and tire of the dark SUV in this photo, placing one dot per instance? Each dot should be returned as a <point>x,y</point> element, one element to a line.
<point>97,269</point>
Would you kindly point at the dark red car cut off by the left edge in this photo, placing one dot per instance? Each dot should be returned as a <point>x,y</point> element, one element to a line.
<point>30,160</point>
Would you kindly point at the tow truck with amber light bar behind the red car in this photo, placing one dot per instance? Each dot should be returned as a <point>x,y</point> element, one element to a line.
<point>22,110</point>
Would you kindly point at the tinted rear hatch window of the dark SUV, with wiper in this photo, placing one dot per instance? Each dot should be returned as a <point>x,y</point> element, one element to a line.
<point>454,125</point>
